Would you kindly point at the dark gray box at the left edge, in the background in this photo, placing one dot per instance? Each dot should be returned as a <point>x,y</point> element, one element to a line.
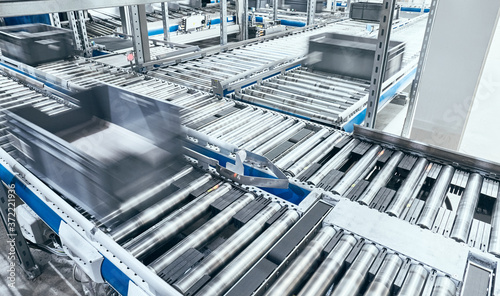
<point>34,44</point>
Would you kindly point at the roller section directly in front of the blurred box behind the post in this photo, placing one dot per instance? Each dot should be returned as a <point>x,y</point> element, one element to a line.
<point>316,97</point>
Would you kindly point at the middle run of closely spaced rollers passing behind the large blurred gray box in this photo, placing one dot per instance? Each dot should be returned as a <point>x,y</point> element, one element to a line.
<point>225,121</point>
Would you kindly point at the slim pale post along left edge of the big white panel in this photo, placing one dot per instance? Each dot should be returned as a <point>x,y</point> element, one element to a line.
<point>414,86</point>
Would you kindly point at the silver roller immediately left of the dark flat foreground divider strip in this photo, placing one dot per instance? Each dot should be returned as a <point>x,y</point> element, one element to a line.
<point>248,257</point>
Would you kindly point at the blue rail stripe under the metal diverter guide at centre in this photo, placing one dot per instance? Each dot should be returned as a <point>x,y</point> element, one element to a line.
<point>293,194</point>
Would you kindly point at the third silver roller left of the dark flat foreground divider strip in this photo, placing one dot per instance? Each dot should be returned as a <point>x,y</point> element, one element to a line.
<point>202,234</point>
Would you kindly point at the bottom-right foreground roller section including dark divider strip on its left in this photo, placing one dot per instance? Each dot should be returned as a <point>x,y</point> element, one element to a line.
<point>315,258</point>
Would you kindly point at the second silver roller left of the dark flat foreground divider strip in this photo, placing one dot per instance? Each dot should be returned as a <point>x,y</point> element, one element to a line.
<point>225,252</point>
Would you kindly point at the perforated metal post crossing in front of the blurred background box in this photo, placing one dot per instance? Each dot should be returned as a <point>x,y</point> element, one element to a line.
<point>379,66</point>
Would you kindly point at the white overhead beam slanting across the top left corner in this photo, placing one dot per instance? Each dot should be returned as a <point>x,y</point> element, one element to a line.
<point>21,8</point>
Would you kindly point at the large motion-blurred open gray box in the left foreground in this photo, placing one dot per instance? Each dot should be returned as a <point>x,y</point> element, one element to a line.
<point>99,155</point>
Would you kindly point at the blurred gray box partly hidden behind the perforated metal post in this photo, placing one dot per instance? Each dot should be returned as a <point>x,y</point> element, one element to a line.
<point>351,56</point>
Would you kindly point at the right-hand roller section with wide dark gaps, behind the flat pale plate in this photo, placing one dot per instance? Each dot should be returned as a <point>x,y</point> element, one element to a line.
<point>438,197</point>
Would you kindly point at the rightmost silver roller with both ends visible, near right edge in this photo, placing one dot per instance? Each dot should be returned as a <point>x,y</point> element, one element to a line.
<point>467,208</point>
